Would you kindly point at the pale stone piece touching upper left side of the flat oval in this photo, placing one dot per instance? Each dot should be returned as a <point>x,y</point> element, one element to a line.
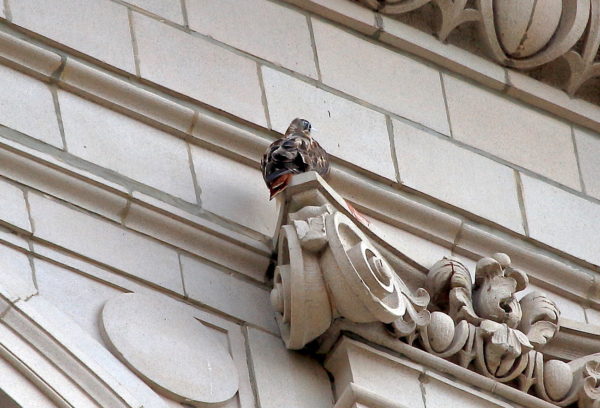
<point>76,295</point>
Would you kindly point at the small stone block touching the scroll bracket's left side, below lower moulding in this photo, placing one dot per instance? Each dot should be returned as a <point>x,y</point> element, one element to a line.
<point>224,291</point>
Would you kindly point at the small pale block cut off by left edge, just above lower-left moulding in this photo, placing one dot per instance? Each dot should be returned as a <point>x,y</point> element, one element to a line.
<point>15,273</point>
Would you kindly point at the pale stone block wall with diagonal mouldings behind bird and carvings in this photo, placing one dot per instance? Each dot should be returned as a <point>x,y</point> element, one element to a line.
<point>130,139</point>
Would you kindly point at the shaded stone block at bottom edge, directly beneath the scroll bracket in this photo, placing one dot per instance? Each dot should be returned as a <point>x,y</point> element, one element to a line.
<point>285,378</point>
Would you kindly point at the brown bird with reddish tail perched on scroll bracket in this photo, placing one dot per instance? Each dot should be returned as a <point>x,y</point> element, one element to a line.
<point>296,152</point>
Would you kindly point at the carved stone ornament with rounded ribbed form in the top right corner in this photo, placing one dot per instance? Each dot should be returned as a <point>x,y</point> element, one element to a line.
<point>522,34</point>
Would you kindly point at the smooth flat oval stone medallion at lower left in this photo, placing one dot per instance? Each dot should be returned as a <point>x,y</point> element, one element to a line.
<point>184,362</point>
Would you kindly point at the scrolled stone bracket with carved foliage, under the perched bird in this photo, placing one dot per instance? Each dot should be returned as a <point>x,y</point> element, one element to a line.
<point>332,269</point>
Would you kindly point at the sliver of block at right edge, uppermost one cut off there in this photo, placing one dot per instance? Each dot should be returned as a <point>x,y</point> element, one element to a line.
<point>588,149</point>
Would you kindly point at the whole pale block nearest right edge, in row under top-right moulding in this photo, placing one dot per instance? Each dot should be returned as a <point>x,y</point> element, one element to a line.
<point>511,131</point>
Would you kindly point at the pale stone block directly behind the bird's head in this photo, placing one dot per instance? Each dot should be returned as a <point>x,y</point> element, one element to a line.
<point>345,129</point>
